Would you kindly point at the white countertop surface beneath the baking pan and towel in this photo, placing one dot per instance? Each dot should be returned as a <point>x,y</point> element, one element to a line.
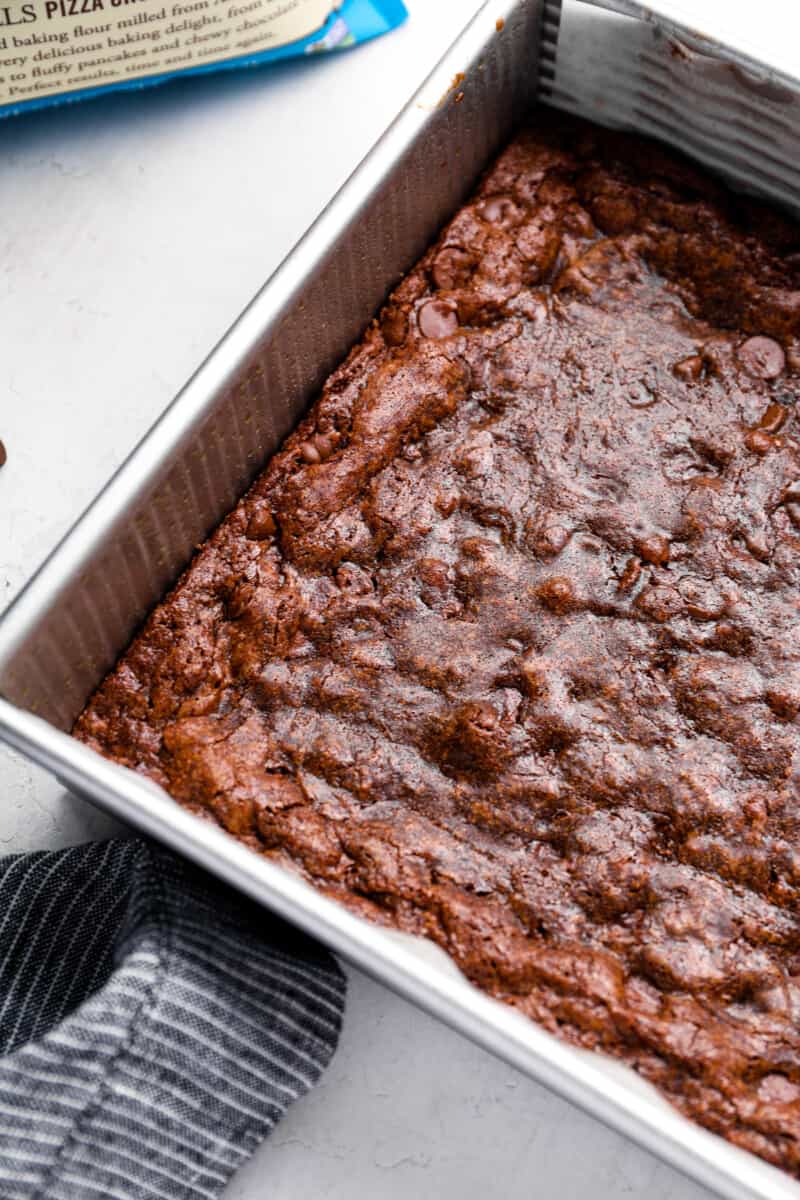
<point>134,232</point>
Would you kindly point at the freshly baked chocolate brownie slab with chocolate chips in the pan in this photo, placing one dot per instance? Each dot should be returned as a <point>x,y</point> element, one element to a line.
<point>503,649</point>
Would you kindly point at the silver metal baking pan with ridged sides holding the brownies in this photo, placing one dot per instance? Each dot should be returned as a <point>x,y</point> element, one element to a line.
<point>639,69</point>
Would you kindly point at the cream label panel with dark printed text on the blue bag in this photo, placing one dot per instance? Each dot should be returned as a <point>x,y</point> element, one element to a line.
<point>50,47</point>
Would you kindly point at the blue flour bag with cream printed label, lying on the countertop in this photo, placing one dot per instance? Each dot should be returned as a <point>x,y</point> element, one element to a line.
<point>57,51</point>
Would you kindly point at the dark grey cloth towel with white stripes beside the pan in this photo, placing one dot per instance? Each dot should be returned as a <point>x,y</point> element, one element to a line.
<point>154,1025</point>
